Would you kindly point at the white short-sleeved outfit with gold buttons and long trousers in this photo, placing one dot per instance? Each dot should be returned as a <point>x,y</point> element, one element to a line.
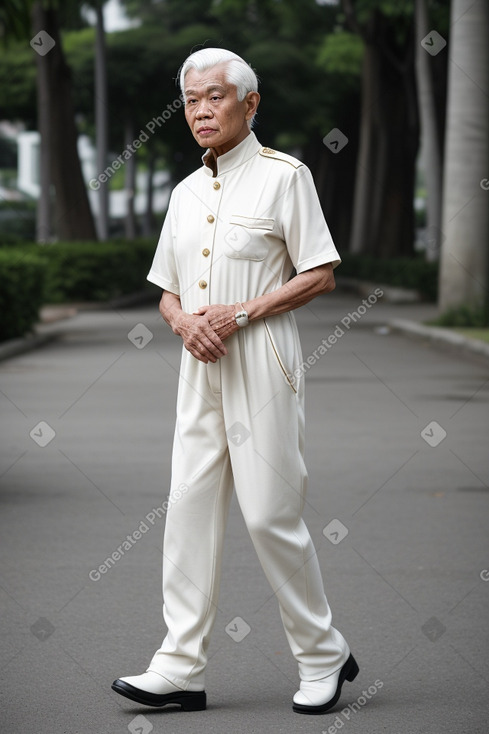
<point>228,238</point>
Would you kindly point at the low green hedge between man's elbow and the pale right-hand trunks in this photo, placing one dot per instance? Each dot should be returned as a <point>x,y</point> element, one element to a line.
<point>413,273</point>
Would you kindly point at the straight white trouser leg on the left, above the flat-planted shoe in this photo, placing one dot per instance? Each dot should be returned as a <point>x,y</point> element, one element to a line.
<point>195,524</point>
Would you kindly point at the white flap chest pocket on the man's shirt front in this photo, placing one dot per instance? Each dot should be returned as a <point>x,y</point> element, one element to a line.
<point>246,238</point>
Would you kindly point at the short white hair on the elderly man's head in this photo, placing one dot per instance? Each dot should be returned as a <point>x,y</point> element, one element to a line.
<point>238,72</point>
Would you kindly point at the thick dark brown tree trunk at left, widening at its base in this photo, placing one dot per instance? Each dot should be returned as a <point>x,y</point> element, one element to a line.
<point>73,218</point>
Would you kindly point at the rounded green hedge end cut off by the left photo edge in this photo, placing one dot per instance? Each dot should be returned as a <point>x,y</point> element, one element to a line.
<point>22,279</point>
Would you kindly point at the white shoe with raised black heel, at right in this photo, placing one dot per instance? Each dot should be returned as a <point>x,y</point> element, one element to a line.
<point>317,696</point>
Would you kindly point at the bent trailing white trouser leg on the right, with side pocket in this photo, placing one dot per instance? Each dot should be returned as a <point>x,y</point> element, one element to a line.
<point>270,479</point>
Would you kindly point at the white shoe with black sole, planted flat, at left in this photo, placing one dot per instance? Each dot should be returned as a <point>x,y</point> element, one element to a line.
<point>152,689</point>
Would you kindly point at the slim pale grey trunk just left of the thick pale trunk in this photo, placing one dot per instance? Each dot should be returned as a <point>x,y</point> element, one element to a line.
<point>430,137</point>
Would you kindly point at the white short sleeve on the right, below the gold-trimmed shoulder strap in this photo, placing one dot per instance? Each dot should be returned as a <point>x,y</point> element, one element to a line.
<point>305,231</point>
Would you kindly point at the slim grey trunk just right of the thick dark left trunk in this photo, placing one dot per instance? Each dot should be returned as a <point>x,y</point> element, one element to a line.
<point>101,122</point>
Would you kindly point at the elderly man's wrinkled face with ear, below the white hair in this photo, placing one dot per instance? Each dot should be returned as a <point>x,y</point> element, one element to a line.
<point>215,116</point>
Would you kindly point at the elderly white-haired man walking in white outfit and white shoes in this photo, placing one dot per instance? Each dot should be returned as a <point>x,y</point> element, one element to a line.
<point>234,231</point>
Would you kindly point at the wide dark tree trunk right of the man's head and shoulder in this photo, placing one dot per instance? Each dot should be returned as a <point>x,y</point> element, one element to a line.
<point>383,223</point>
